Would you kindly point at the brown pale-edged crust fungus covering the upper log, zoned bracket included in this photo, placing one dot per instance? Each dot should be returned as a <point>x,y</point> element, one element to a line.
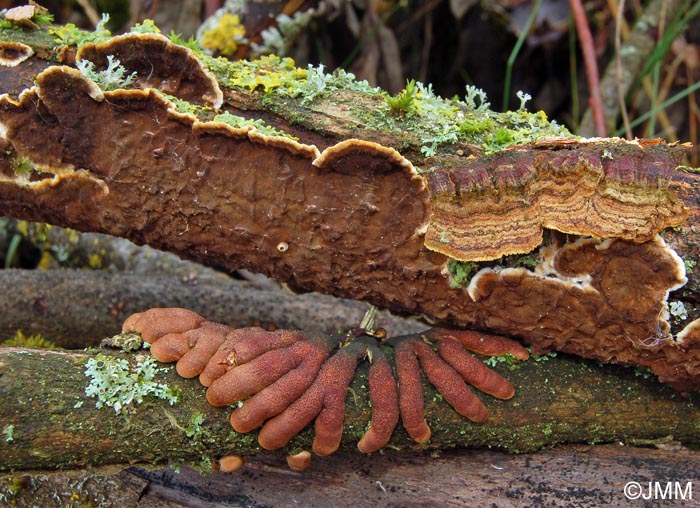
<point>358,219</point>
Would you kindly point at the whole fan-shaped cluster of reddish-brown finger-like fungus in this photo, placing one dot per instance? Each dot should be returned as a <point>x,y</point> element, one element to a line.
<point>288,380</point>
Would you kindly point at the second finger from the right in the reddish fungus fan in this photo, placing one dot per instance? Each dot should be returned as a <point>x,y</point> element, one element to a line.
<point>473,370</point>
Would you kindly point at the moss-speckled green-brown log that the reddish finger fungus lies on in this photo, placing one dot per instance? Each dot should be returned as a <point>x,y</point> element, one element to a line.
<point>49,423</point>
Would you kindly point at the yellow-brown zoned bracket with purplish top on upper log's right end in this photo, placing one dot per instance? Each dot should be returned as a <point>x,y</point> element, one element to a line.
<point>501,204</point>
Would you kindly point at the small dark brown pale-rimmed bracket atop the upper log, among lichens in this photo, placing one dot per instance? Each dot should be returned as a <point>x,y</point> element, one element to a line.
<point>160,64</point>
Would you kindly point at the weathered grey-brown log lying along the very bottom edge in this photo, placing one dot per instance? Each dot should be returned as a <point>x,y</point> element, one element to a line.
<point>583,475</point>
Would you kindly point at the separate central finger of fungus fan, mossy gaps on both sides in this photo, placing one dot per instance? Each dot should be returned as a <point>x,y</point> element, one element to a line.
<point>384,396</point>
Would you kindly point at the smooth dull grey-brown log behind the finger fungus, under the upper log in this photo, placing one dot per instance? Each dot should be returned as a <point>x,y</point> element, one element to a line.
<point>78,308</point>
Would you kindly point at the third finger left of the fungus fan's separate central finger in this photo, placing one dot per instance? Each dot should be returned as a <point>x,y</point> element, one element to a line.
<point>281,394</point>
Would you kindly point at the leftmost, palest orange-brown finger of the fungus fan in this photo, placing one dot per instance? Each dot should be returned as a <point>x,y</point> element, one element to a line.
<point>155,323</point>
